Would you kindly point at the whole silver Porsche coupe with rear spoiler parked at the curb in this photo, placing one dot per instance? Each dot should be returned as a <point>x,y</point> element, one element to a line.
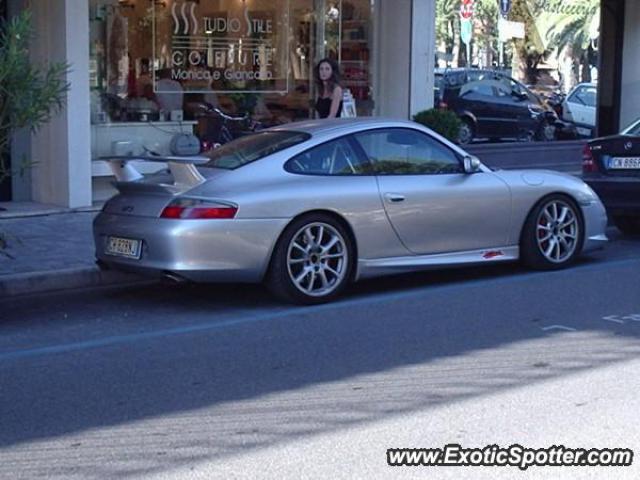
<point>309,207</point>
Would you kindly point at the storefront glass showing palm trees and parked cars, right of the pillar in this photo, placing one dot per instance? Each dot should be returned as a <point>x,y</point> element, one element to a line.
<point>518,70</point>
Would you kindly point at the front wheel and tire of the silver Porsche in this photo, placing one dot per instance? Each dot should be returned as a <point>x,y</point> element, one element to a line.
<point>559,250</point>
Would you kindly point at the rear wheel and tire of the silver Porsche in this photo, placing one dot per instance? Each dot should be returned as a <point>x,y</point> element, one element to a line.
<point>287,258</point>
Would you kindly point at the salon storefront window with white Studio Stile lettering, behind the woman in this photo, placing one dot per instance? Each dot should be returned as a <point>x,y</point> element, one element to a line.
<point>161,68</point>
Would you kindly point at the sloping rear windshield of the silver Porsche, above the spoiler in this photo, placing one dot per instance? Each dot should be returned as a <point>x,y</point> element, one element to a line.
<point>250,148</point>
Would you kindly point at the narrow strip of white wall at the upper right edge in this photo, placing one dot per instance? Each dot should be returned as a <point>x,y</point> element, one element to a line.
<point>630,94</point>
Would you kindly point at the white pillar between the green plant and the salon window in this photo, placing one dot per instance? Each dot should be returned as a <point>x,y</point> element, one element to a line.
<point>62,175</point>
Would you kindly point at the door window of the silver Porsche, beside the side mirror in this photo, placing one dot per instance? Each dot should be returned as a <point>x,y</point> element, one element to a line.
<point>403,151</point>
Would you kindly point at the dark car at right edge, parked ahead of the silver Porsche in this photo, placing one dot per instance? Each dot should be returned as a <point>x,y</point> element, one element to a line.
<point>611,166</point>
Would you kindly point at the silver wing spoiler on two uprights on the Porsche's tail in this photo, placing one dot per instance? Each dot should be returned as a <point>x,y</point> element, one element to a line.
<point>183,169</point>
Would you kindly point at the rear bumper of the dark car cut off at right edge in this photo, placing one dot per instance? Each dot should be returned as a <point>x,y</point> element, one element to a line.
<point>620,195</point>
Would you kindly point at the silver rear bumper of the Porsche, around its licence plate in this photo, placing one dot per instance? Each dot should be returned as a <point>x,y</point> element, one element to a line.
<point>200,250</point>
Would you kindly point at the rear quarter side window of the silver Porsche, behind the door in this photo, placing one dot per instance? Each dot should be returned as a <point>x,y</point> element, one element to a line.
<point>332,158</point>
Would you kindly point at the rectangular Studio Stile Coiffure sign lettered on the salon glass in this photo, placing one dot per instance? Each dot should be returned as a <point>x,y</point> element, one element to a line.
<point>241,50</point>
